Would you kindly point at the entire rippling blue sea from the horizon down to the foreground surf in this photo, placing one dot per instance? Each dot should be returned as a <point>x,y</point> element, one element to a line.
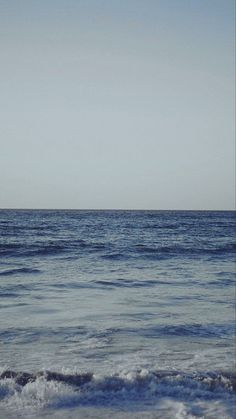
<point>122,314</point>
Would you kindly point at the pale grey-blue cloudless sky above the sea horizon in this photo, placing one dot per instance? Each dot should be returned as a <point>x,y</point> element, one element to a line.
<point>124,104</point>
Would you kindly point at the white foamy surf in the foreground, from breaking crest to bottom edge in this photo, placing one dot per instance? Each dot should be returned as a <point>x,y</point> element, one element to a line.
<point>126,394</point>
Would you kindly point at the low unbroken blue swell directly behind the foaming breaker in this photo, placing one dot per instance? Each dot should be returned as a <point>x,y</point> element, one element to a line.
<point>71,334</point>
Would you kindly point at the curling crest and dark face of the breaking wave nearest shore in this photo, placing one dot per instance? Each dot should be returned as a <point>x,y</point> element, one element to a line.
<point>141,383</point>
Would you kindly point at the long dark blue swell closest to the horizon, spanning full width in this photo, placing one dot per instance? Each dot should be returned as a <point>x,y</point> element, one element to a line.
<point>115,251</point>
